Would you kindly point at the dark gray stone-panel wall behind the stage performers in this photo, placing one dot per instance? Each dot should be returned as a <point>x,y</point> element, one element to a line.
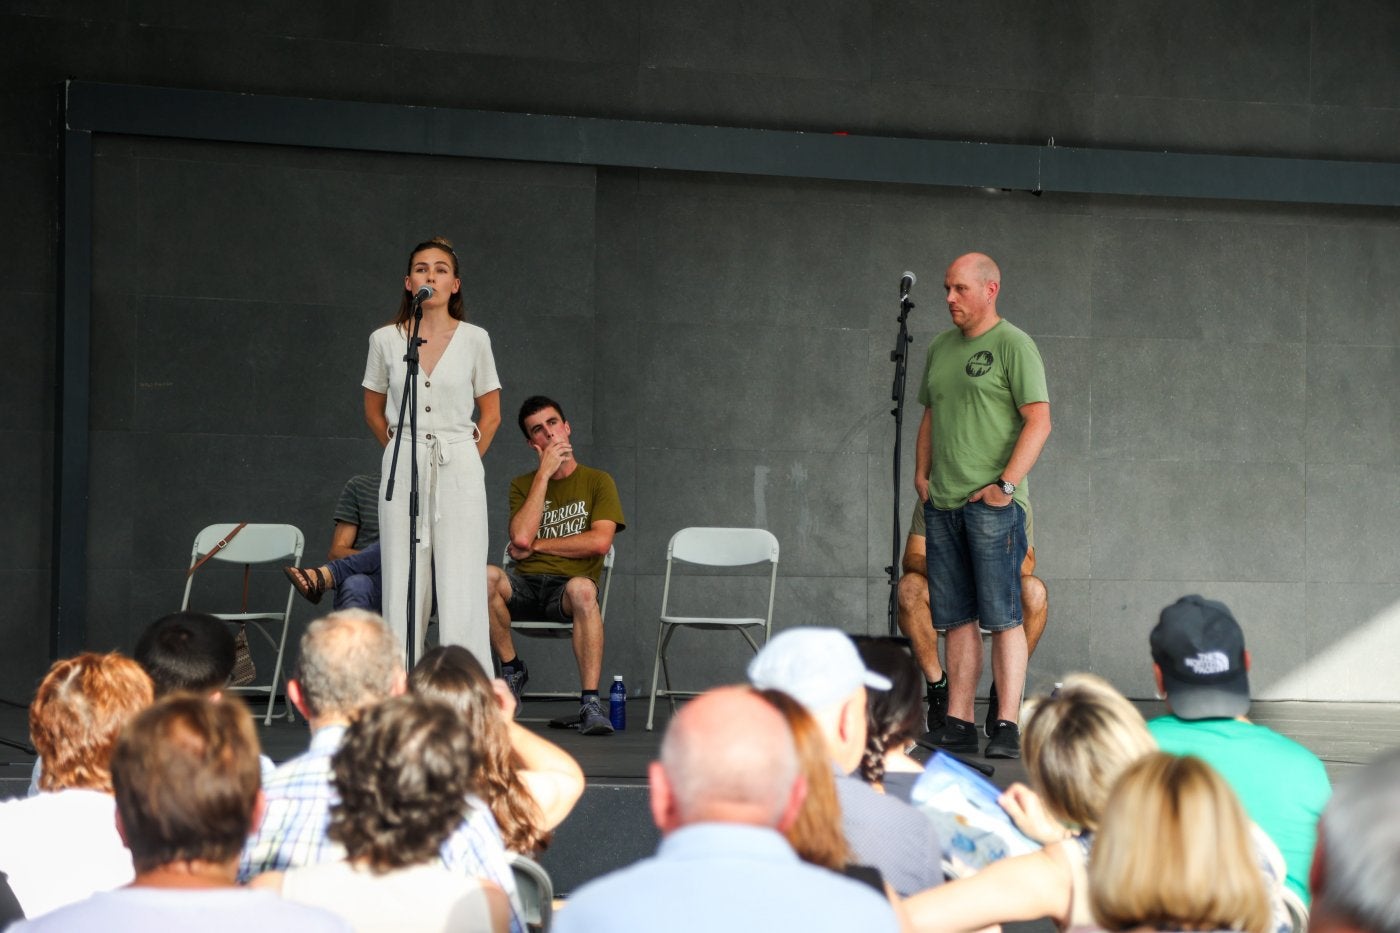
<point>1224,375</point>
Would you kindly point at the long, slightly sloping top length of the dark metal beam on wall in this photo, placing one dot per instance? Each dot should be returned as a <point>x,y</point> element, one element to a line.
<point>584,141</point>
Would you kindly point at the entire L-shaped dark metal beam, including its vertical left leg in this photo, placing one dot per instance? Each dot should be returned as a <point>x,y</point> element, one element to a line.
<point>429,131</point>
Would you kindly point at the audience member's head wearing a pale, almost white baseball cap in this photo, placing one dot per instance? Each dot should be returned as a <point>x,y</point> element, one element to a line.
<point>822,672</point>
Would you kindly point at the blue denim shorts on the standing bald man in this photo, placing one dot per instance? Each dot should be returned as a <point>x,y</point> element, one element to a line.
<point>975,557</point>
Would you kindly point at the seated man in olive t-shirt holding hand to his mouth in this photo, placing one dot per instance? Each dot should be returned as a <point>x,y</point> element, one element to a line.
<point>563,520</point>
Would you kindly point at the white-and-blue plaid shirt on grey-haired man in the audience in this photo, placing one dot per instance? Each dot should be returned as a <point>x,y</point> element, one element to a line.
<point>299,801</point>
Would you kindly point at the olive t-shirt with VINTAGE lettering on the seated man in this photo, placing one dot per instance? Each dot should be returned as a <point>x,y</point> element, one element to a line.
<point>572,506</point>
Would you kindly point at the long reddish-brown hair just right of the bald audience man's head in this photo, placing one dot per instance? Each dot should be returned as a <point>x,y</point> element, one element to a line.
<point>817,833</point>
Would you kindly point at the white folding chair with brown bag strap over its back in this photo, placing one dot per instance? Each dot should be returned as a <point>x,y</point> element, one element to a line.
<point>279,546</point>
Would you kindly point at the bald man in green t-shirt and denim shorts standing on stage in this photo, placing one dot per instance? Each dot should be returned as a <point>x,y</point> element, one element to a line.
<point>986,421</point>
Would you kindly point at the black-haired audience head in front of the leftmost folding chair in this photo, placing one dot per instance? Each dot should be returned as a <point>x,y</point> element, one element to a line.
<point>190,652</point>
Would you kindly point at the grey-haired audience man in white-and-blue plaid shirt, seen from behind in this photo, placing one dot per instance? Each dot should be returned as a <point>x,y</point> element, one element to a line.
<point>349,663</point>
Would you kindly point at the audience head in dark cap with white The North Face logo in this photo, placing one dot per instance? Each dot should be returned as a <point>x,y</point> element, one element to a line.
<point>1200,661</point>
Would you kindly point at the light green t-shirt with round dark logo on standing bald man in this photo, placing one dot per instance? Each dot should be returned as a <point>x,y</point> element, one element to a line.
<point>975,390</point>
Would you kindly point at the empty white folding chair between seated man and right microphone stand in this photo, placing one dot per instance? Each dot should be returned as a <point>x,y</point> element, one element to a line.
<point>710,548</point>
